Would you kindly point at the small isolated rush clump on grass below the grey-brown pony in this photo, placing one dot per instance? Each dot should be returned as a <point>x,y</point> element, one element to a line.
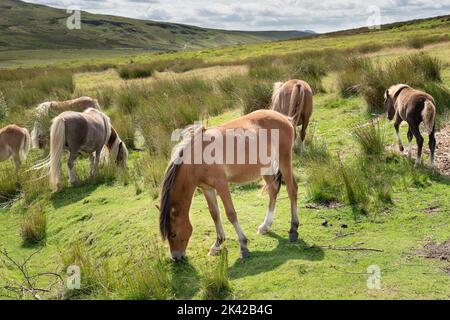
<point>34,225</point>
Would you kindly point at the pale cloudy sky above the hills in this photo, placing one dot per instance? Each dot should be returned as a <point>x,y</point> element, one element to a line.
<point>317,15</point>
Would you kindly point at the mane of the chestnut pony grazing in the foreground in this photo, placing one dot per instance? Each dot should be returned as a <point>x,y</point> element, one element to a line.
<point>169,179</point>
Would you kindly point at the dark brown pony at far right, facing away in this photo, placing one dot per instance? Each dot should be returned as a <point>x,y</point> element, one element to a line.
<point>413,106</point>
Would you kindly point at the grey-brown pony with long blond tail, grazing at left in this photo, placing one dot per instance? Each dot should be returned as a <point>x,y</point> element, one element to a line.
<point>87,132</point>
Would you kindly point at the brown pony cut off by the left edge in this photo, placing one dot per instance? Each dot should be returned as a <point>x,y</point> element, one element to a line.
<point>15,142</point>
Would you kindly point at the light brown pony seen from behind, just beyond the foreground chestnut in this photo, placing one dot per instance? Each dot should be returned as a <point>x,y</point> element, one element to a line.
<point>294,99</point>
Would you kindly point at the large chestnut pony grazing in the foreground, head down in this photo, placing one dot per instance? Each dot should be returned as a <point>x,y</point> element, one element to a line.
<point>233,141</point>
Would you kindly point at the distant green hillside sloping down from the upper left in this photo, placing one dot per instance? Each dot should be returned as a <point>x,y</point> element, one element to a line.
<point>25,26</point>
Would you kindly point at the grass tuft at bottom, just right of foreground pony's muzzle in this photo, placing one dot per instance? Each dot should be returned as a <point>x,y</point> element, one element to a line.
<point>214,282</point>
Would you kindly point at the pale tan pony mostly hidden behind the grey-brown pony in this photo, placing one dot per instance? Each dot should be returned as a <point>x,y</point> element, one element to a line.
<point>48,110</point>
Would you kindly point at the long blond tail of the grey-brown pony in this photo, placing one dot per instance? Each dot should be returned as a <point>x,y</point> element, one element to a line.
<point>57,141</point>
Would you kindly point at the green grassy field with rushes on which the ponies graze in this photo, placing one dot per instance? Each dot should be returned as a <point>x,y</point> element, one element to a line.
<point>359,206</point>
